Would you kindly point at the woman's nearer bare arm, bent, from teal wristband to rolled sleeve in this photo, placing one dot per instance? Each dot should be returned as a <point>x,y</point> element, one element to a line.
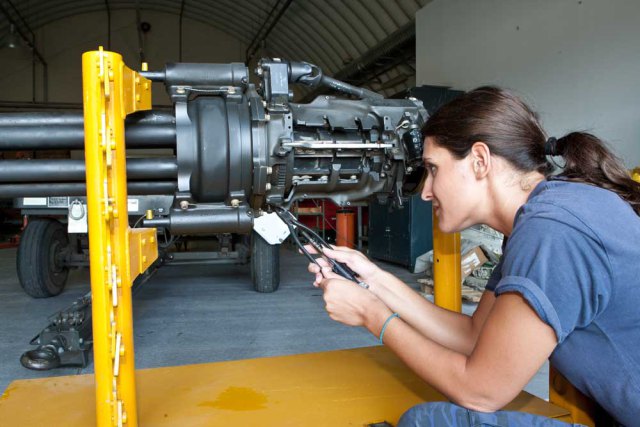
<point>512,345</point>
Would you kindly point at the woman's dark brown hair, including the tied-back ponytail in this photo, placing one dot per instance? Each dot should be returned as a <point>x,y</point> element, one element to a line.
<point>512,131</point>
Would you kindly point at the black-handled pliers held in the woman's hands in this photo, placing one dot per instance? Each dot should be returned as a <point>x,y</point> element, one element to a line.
<point>318,244</point>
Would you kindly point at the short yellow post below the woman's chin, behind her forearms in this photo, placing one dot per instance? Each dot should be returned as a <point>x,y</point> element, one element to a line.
<point>447,278</point>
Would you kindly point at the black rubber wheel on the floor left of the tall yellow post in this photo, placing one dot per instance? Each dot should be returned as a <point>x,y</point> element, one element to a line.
<point>40,270</point>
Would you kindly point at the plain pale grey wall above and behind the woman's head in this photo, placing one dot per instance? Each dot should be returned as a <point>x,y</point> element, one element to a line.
<point>576,62</point>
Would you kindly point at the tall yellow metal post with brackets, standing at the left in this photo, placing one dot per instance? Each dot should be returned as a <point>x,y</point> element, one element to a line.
<point>110,92</point>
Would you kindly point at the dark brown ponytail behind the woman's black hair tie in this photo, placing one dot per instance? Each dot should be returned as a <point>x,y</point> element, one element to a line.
<point>588,160</point>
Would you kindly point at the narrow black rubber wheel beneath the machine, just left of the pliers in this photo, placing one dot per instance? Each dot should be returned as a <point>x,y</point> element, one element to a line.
<point>265,264</point>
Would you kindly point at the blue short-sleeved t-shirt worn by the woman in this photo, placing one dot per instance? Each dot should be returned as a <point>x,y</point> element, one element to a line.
<point>574,255</point>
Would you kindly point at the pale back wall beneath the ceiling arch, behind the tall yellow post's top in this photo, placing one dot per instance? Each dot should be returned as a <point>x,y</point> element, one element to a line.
<point>63,42</point>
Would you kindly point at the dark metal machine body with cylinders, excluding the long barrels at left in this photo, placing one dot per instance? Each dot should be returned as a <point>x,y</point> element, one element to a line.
<point>241,149</point>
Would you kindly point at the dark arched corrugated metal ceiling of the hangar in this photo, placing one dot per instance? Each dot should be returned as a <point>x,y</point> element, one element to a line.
<point>367,42</point>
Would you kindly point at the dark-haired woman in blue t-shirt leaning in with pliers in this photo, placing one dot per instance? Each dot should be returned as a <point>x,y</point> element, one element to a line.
<point>566,288</point>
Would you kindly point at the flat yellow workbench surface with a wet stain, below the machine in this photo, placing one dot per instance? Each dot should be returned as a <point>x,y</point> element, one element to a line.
<point>336,388</point>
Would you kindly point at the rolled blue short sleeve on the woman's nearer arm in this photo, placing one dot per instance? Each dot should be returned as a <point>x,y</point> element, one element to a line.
<point>559,266</point>
